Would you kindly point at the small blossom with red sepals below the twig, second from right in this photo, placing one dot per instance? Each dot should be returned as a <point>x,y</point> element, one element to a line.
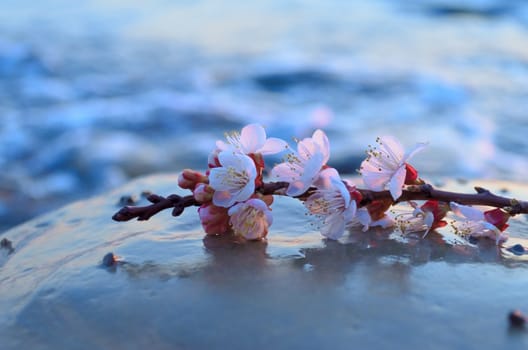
<point>428,216</point>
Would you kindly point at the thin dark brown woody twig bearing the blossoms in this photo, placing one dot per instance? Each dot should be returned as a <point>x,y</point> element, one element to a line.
<point>417,192</point>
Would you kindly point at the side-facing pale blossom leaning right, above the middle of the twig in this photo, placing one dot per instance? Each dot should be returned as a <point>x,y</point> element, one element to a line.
<point>301,168</point>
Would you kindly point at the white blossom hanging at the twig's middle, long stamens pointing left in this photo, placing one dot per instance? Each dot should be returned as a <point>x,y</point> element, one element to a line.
<point>334,204</point>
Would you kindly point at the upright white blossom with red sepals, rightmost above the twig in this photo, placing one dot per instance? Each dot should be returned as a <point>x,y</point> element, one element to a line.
<point>387,166</point>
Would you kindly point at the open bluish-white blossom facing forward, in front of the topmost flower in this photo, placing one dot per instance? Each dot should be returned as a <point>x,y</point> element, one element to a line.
<point>234,181</point>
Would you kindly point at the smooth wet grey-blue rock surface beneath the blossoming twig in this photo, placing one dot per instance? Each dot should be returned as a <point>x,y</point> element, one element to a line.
<point>167,286</point>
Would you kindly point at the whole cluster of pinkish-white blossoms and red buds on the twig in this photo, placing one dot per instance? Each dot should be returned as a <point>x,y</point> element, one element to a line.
<point>232,194</point>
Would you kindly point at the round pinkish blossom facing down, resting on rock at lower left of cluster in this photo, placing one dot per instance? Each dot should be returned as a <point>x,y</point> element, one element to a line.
<point>251,219</point>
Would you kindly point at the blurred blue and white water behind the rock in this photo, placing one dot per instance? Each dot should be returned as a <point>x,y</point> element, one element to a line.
<point>97,92</point>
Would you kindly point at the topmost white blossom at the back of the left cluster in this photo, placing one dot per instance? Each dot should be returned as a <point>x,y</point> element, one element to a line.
<point>252,140</point>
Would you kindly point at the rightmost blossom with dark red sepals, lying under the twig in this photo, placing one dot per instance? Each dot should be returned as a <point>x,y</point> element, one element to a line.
<point>491,223</point>
